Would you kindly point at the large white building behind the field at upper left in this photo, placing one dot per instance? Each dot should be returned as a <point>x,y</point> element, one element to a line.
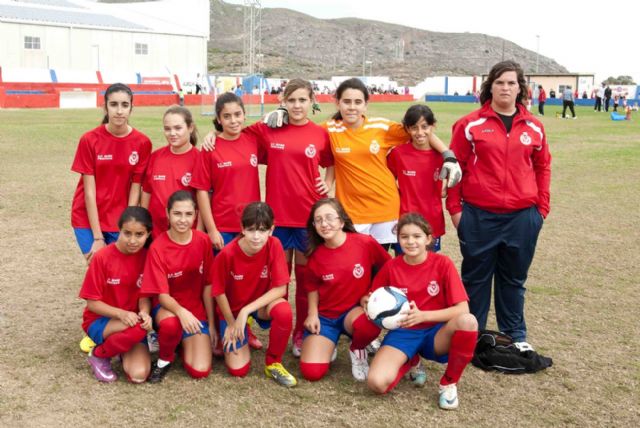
<point>166,36</point>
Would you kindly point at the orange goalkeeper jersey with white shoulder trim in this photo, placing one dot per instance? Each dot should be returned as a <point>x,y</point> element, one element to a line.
<point>364,185</point>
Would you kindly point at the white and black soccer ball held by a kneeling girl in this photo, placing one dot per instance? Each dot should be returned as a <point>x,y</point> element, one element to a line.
<point>385,306</point>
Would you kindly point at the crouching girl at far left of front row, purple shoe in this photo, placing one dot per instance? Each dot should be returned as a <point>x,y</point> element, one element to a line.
<point>116,318</point>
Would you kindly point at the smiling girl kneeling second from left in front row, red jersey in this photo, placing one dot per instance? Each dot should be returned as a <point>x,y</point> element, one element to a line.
<point>177,273</point>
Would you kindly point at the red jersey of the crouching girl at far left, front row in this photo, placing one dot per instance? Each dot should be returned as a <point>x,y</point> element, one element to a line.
<point>113,278</point>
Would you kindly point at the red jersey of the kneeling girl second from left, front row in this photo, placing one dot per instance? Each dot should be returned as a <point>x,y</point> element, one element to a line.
<point>180,270</point>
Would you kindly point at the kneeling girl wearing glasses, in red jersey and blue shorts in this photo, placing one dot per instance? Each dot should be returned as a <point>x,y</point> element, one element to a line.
<point>341,265</point>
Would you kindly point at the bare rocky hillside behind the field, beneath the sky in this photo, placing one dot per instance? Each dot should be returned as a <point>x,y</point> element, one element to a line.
<point>295,44</point>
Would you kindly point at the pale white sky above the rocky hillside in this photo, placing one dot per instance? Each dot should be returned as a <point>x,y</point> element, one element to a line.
<point>586,37</point>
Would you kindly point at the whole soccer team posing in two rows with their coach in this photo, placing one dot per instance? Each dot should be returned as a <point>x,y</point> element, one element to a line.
<point>179,243</point>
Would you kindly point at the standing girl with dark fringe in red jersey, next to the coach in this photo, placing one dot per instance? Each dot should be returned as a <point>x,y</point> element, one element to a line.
<point>416,168</point>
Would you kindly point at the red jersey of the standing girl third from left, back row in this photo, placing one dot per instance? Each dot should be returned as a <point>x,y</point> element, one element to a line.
<point>231,170</point>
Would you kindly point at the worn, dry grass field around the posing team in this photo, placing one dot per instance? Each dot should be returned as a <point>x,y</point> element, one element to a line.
<point>581,305</point>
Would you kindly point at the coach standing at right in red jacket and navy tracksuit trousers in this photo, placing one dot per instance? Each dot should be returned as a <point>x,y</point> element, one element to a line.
<point>503,198</point>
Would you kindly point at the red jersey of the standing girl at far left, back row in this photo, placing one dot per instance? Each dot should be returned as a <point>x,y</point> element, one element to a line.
<point>115,162</point>
